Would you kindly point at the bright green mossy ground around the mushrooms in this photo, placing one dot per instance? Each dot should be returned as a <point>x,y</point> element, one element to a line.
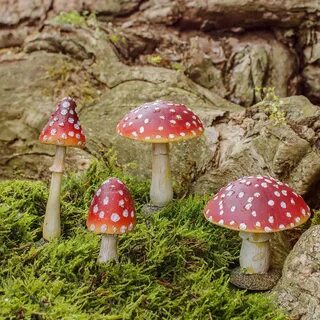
<point>173,266</point>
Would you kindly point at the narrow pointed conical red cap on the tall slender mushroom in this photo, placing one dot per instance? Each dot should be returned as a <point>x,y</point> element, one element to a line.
<point>63,127</point>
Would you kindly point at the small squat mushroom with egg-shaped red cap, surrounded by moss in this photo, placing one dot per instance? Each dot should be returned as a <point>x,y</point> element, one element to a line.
<point>111,213</point>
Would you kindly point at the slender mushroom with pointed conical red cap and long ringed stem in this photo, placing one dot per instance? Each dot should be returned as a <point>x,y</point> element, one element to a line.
<point>63,130</point>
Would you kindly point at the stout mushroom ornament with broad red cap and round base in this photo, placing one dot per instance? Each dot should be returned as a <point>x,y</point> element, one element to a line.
<point>256,206</point>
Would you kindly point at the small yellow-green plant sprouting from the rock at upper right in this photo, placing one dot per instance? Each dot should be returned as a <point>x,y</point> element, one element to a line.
<point>268,95</point>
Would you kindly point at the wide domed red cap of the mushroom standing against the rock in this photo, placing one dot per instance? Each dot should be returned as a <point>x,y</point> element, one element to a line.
<point>160,122</point>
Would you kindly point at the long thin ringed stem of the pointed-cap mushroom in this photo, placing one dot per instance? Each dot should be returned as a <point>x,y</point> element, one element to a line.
<point>51,226</point>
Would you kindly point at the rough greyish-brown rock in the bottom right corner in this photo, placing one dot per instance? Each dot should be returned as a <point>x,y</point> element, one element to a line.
<point>298,290</point>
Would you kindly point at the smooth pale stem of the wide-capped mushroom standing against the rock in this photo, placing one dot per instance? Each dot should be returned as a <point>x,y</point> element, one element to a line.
<point>161,191</point>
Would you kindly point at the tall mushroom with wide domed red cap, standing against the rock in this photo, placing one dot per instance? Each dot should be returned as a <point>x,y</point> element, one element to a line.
<point>160,123</point>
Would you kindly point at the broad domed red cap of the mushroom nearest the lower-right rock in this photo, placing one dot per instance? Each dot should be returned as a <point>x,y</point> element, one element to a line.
<point>257,204</point>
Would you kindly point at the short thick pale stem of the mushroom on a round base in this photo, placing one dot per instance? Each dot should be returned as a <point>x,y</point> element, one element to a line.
<point>255,252</point>
